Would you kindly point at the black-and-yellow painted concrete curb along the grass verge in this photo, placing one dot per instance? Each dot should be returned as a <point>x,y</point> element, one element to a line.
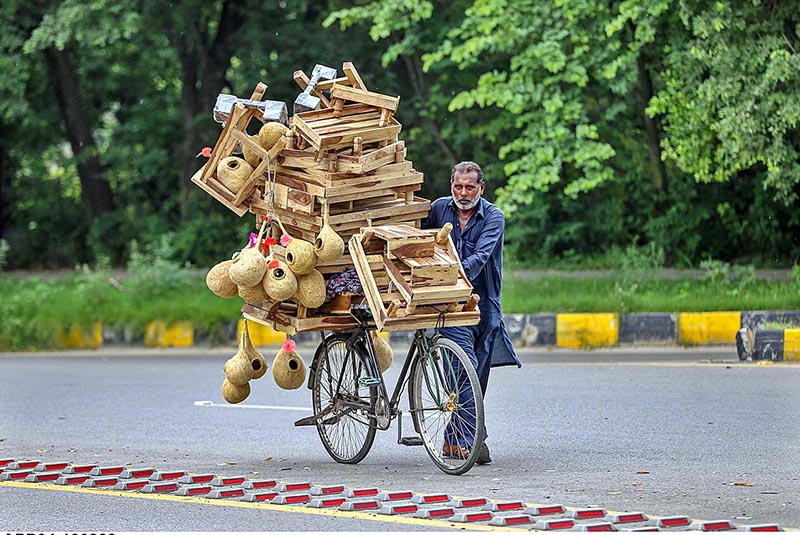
<point>573,330</point>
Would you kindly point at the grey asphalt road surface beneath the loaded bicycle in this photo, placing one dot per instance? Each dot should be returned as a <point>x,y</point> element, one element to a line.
<point>665,431</point>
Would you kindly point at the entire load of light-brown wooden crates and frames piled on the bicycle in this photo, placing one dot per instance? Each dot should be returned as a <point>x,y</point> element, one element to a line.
<point>344,165</point>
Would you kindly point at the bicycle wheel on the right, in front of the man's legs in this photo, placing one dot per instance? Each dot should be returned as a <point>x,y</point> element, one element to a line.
<point>447,406</point>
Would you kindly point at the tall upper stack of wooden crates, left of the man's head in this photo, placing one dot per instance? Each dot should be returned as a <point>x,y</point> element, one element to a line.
<point>346,163</point>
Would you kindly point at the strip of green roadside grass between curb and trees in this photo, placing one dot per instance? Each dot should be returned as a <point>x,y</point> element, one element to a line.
<point>155,287</point>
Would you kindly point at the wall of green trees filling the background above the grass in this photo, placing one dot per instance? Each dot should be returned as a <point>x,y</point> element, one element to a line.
<point>665,124</point>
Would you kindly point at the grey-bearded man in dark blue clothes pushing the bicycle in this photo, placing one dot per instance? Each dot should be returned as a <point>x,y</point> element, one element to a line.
<point>478,227</point>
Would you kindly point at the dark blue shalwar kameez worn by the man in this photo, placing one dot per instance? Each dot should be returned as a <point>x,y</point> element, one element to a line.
<point>480,247</point>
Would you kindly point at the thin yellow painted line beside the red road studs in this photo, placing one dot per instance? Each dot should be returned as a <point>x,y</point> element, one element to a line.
<point>266,506</point>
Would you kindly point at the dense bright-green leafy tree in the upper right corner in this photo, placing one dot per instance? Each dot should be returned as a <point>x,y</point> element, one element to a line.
<point>730,100</point>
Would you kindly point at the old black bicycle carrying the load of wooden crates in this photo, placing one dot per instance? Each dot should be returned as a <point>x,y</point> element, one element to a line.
<point>351,402</point>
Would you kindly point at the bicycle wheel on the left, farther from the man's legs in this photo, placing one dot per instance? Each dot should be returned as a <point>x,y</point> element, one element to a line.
<point>340,402</point>
